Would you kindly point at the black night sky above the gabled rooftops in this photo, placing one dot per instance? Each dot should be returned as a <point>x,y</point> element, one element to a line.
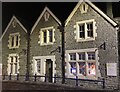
<point>31,11</point>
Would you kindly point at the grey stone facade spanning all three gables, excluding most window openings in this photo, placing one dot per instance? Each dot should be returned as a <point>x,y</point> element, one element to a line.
<point>105,44</point>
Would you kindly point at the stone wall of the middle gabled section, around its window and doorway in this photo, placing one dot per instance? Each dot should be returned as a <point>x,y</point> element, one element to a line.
<point>46,51</point>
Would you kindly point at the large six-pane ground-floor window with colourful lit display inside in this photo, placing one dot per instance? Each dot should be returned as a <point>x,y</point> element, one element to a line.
<point>82,63</point>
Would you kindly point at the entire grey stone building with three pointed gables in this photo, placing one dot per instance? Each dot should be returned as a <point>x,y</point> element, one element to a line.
<point>91,47</point>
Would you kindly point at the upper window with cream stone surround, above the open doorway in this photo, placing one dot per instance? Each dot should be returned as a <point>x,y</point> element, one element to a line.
<point>47,36</point>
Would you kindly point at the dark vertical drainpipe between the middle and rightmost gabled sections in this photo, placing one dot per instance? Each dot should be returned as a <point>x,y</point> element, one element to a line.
<point>63,51</point>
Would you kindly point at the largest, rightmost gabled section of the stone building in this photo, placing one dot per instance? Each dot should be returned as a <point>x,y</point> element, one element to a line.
<point>91,45</point>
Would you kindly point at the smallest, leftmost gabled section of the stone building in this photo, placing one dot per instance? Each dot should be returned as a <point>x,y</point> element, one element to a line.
<point>14,48</point>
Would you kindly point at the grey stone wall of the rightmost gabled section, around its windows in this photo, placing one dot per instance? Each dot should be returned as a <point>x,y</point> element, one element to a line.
<point>105,32</point>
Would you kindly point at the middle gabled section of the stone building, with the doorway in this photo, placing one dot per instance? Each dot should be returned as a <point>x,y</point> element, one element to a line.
<point>44,46</point>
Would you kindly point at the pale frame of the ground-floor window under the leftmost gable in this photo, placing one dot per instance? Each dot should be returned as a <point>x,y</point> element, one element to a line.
<point>14,62</point>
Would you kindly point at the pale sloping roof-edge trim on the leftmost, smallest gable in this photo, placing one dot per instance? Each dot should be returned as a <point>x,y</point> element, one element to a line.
<point>10,24</point>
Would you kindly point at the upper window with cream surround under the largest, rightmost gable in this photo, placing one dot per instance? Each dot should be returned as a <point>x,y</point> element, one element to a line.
<point>86,30</point>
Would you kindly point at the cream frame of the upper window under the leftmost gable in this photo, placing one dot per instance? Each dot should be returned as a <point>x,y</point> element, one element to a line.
<point>14,43</point>
